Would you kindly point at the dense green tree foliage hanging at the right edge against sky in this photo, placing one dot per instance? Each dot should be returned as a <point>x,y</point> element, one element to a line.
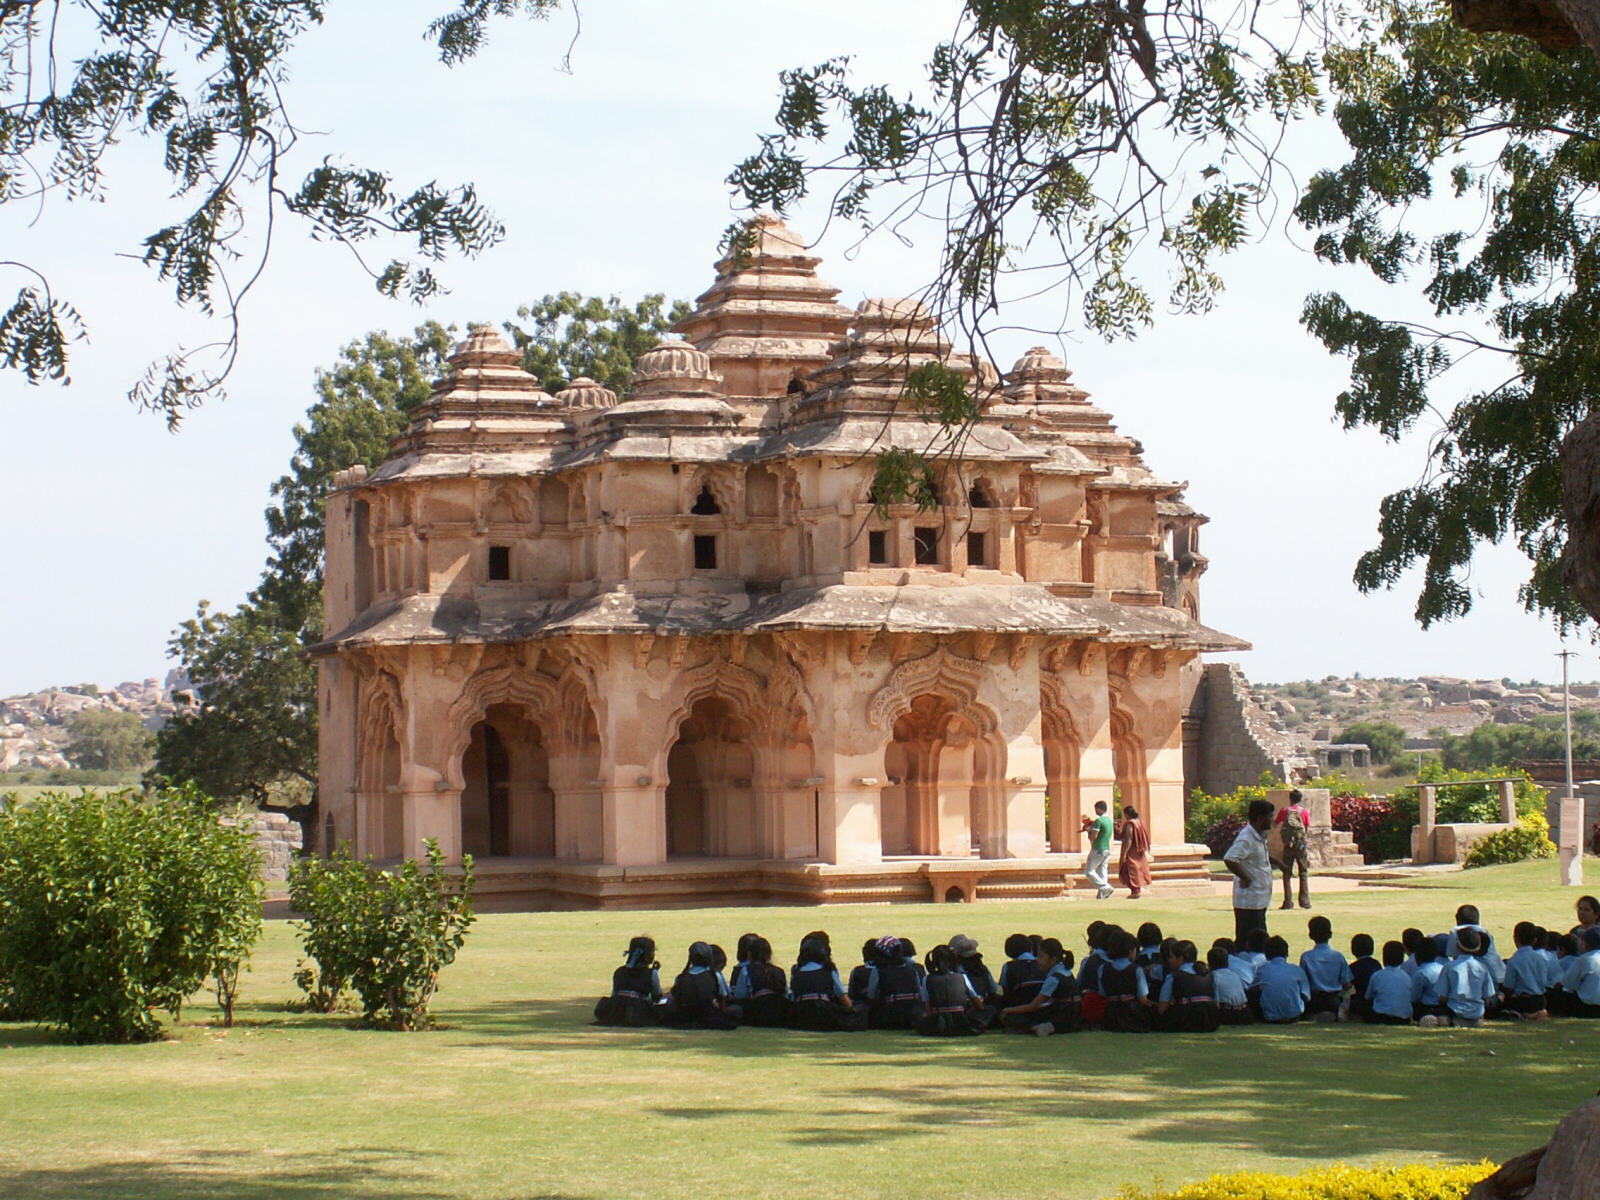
<point>1510,134</point>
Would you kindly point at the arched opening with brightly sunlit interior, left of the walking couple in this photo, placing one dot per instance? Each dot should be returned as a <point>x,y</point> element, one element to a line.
<point>942,782</point>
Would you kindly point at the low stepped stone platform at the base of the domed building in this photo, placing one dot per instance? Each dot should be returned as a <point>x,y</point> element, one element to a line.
<point>527,884</point>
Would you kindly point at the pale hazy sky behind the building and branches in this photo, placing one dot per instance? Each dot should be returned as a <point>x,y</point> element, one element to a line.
<point>610,182</point>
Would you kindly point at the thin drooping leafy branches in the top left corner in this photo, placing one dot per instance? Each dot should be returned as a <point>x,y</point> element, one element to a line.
<point>206,86</point>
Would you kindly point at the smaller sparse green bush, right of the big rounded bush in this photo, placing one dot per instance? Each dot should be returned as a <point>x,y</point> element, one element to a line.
<point>386,935</point>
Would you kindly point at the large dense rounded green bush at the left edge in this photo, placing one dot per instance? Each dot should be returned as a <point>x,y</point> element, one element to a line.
<point>116,906</point>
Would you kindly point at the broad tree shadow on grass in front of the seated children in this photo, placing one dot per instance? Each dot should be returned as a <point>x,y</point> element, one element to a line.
<point>1308,1092</point>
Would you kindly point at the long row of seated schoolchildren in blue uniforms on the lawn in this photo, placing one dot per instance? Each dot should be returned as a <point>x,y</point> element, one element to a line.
<point>1127,983</point>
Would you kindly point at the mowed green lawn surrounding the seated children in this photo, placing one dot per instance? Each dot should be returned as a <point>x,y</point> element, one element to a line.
<point>519,1097</point>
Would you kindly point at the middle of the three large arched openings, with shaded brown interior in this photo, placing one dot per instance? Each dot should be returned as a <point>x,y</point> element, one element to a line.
<point>711,777</point>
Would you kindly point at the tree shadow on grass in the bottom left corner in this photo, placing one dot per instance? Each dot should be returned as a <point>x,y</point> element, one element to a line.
<point>198,1175</point>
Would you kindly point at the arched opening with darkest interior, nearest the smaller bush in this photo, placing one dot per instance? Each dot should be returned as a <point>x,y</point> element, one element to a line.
<point>508,809</point>
